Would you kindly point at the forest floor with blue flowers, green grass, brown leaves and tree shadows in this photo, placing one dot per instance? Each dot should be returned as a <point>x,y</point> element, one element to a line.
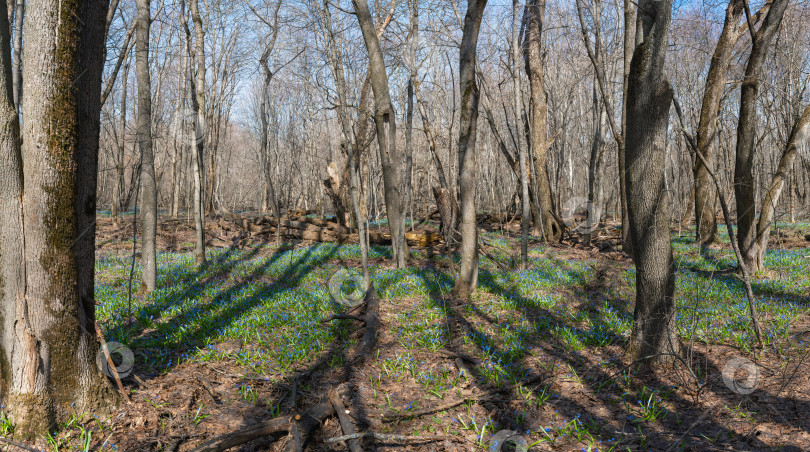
<point>219,347</point>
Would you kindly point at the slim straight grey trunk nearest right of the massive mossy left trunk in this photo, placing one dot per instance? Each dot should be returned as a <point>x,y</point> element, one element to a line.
<point>148,182</point>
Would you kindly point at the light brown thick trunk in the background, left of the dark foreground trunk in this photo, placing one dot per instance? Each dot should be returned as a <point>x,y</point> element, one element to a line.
<point>551,229</point>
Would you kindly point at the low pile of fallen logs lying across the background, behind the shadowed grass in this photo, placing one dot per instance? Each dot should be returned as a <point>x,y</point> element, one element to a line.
<point>297,225</point>
